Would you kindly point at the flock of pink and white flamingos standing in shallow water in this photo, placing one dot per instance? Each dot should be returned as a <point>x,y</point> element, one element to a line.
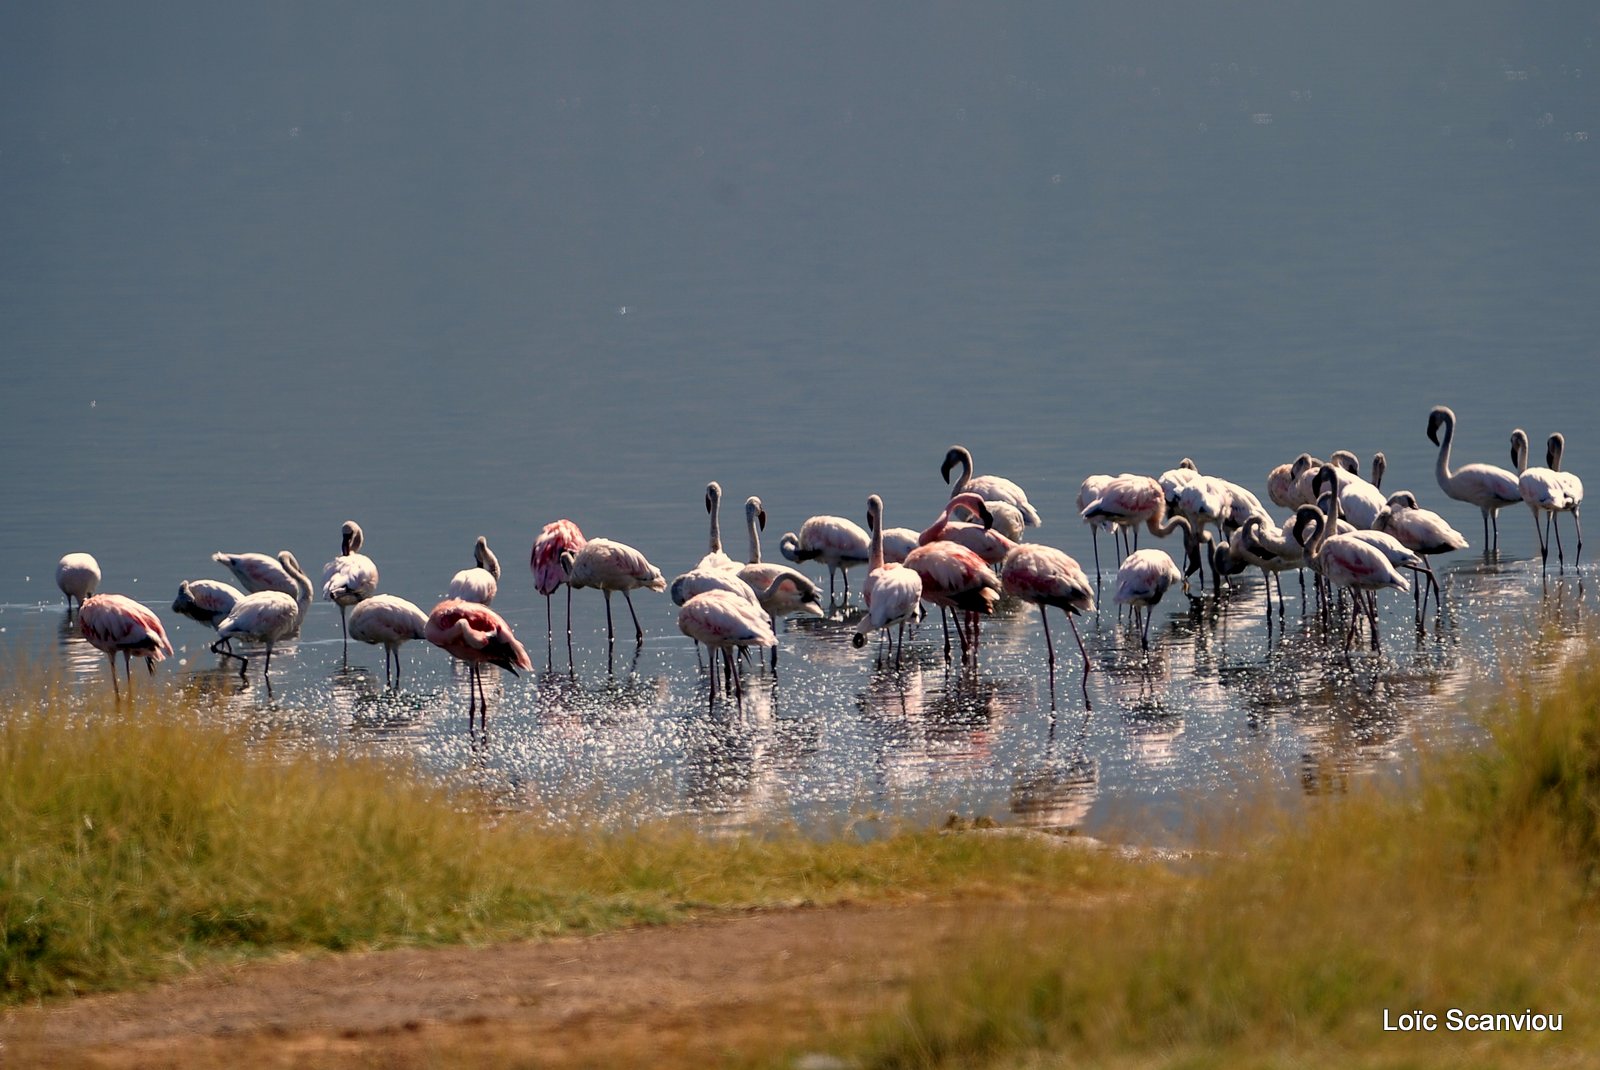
<point>1343,529</point>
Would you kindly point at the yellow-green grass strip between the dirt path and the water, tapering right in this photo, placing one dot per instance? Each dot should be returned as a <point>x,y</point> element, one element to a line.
<point>143,840</point>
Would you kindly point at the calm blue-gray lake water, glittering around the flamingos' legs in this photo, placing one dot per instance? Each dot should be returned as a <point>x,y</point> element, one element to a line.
<point>463,273</point>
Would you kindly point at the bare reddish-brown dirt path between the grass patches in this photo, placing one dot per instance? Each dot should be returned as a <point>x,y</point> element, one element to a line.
<point>690,996</point>
